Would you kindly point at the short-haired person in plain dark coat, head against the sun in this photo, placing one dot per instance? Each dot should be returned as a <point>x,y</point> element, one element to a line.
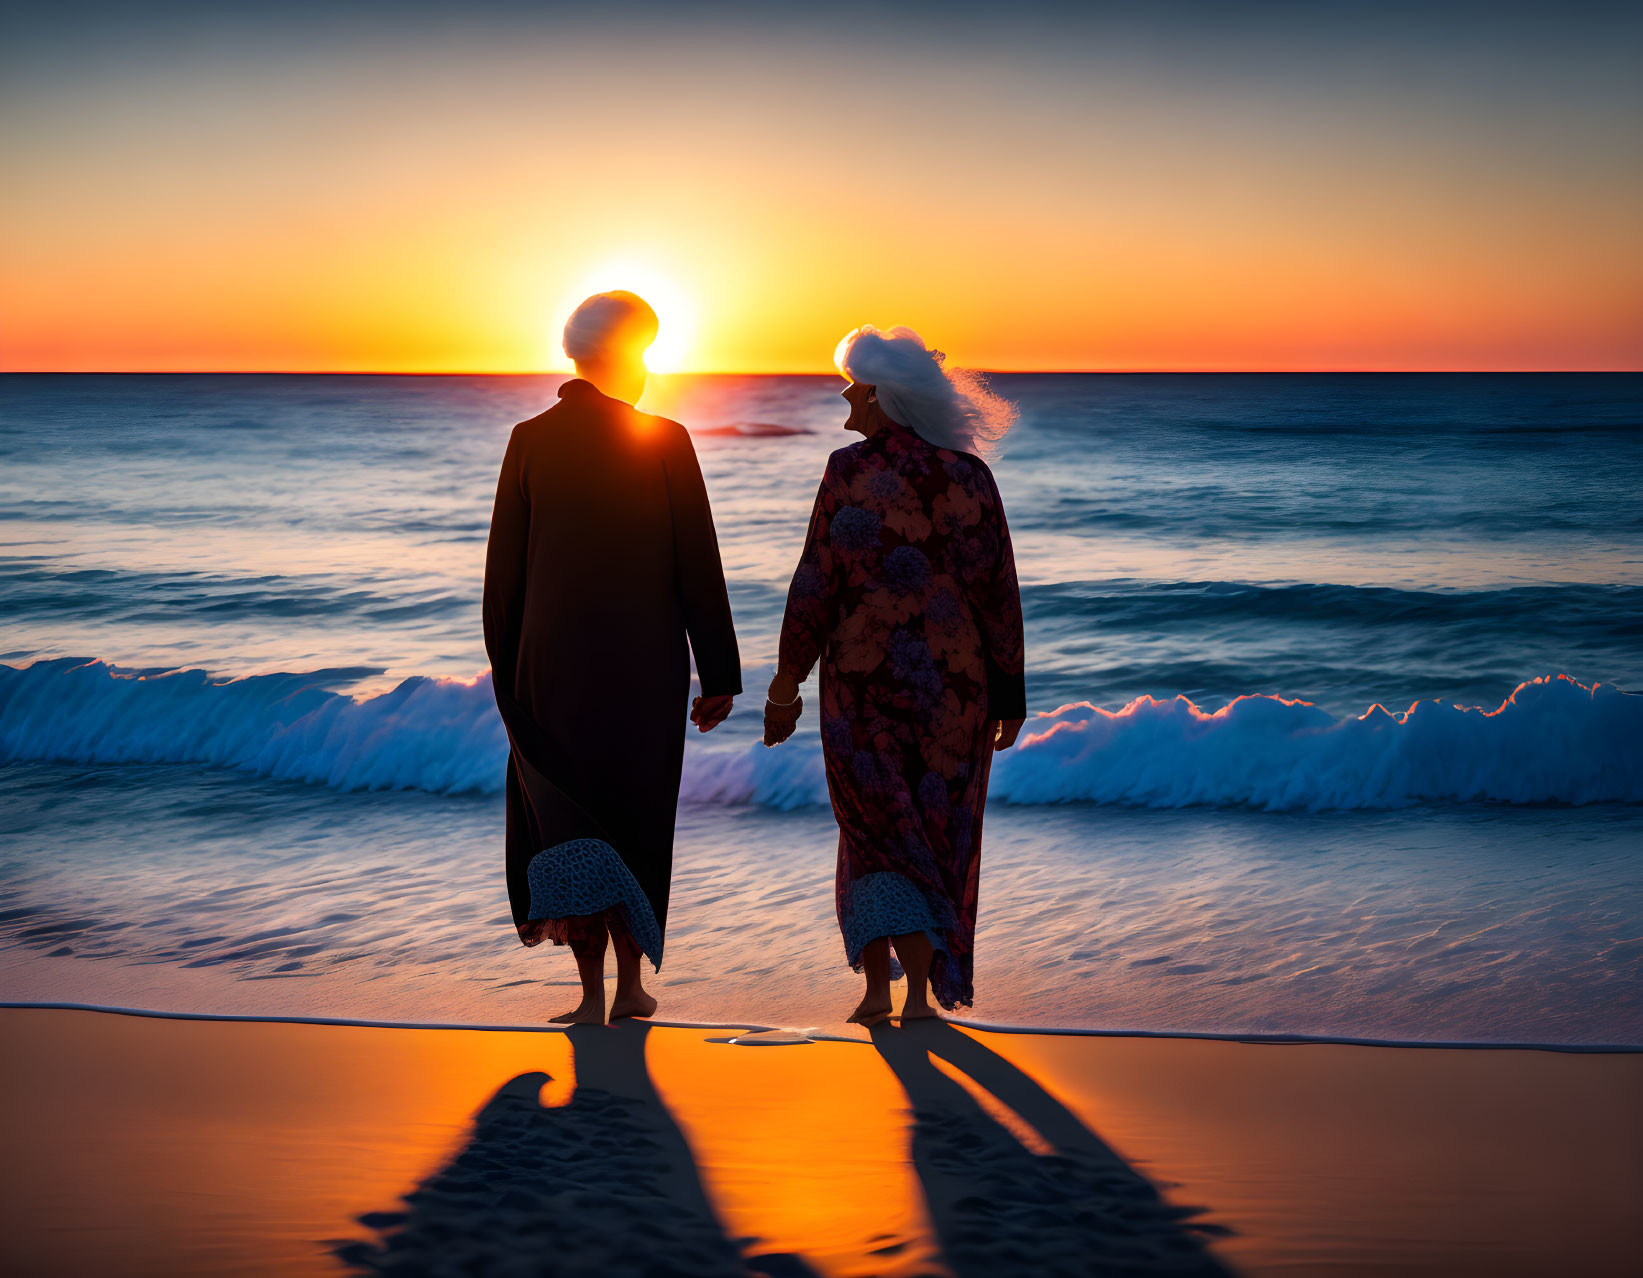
<point>602,563</point>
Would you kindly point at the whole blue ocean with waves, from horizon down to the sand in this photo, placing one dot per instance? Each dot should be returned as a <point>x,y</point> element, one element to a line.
<point>1335,686</point>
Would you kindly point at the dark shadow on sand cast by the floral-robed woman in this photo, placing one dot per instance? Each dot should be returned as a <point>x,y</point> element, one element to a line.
<point>1070,1207</point>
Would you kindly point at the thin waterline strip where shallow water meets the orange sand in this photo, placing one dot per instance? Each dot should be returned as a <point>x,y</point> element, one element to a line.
<point>817,1036</point>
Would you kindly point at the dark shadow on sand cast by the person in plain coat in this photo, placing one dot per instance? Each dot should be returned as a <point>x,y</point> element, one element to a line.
<point>604,1185</point>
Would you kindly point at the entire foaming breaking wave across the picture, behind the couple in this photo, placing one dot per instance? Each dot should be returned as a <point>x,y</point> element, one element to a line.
<point>1552,742</point>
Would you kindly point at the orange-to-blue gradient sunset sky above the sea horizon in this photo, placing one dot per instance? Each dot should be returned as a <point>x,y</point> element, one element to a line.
<point>1180,186</point>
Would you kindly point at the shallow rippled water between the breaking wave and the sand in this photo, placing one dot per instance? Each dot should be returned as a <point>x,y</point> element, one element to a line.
<point>1424,926</point>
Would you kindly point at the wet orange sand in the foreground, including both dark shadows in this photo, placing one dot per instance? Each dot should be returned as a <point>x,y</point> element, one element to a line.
<point>188,1147</point>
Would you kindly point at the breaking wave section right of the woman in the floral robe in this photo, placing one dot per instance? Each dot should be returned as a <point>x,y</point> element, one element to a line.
<point>1552,742</point>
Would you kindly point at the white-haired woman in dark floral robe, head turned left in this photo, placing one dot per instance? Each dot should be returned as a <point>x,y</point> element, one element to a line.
<point>906,592</point>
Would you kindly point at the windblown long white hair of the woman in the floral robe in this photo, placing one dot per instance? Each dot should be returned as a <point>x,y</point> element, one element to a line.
<point>952,408</point>
